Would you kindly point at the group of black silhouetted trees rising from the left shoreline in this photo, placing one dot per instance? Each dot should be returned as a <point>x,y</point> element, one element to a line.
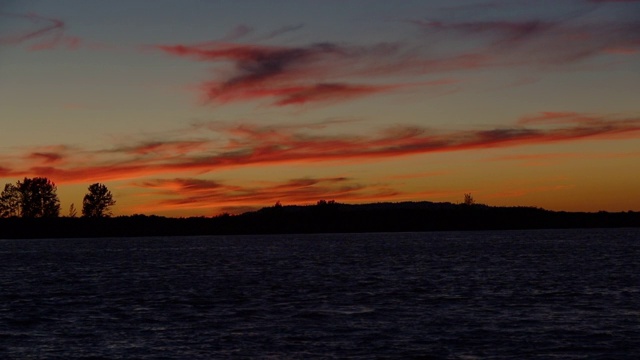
<point>37,198</point>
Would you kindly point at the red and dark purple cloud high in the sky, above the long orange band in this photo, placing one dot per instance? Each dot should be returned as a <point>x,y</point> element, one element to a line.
<point>295,75</point>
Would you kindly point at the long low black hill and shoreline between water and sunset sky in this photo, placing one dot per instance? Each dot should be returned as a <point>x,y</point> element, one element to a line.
<point>325,217</point>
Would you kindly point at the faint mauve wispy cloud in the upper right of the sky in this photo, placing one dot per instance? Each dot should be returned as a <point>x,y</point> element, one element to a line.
<point>538,42</point>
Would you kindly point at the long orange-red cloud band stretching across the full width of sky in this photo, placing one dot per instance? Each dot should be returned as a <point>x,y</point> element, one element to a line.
<point>251,145</point>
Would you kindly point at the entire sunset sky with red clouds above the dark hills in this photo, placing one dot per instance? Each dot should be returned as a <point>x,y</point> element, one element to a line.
<point>197,108</point>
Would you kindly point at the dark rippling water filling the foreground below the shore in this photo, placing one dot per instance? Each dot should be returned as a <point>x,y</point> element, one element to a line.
<point>492,295</point>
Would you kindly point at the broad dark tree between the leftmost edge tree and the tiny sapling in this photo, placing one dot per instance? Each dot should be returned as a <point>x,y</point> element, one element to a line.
<point>38,198</point>
